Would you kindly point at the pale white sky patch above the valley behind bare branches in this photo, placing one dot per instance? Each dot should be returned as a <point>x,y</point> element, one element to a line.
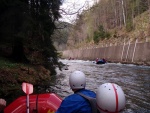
<point>72,6</point>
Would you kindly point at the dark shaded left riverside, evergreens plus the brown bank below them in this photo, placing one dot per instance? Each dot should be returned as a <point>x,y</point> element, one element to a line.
<point>27,53</point>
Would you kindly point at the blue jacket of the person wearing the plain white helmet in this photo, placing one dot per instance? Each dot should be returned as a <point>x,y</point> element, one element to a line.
<point>76,104</point>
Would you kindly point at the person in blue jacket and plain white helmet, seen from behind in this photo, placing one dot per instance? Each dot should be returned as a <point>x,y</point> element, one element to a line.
<point>75,103</point>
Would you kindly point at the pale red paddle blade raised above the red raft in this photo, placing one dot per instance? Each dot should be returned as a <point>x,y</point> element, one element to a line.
<point>27,88</point>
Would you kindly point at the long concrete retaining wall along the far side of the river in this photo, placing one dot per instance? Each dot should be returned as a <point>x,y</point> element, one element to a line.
<point>130,53</point>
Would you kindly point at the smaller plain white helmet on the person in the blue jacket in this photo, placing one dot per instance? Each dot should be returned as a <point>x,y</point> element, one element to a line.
<point>77,80</point>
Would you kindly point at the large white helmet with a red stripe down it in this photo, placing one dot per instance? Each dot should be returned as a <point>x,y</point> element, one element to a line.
<point>110,98</point>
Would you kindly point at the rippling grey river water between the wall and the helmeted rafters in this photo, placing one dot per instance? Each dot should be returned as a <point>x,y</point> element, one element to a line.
<point>134,80</point>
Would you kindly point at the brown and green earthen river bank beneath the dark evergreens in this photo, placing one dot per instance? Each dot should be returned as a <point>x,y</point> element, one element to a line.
<point>12,75</point>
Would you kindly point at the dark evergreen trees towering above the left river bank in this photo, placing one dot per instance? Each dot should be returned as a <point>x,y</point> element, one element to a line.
<point>29,24</point>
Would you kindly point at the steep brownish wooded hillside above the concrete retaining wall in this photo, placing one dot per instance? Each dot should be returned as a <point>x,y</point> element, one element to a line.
<point>110,23</point>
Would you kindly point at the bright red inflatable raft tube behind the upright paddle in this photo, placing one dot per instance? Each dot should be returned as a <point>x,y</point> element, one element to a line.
<point>39,103</point>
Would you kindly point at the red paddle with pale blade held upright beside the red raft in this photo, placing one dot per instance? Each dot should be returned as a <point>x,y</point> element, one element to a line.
<point>28,89</point>
